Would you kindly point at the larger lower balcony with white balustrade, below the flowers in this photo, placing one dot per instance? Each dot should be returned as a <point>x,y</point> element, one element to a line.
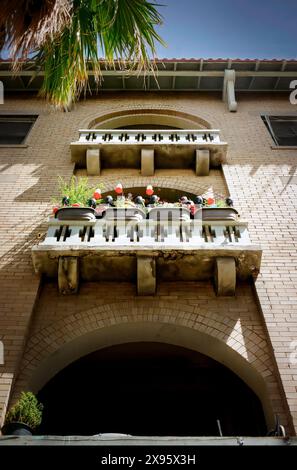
<point>161,244</point>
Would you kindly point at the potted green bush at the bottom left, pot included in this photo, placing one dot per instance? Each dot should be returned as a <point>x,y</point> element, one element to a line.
<point>24,417</point>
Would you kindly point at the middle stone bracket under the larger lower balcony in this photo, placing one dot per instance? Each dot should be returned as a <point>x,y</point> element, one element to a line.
<point>146,275</point>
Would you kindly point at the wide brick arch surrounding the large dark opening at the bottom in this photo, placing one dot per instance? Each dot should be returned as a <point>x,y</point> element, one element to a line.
<point>53,347</point>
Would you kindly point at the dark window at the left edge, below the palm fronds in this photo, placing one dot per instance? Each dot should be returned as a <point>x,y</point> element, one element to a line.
<point>14,129</point>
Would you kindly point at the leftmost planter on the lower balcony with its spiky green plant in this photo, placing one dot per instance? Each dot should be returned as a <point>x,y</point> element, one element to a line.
<point>76,200</point>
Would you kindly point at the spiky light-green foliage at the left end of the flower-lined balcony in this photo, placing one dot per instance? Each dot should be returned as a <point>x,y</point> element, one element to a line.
<point>77,190</point>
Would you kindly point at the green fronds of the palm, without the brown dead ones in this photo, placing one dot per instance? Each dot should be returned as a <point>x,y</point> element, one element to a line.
<point>121,31</point>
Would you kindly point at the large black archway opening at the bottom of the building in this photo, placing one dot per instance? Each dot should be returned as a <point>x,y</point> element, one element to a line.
<point>149,389</point>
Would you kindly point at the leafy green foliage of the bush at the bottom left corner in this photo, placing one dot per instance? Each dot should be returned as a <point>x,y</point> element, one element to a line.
<point>27,410</point>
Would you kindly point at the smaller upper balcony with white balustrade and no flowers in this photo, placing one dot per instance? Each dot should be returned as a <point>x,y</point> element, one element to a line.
<point>148,149</point>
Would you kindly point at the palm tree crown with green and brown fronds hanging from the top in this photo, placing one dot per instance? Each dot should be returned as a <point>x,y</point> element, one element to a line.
<point>65,39</point>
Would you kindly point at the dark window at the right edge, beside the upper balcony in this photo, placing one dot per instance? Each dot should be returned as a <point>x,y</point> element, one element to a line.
<point>283,129</point>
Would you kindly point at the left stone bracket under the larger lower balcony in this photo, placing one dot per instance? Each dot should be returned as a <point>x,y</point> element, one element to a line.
<point>68,274</point>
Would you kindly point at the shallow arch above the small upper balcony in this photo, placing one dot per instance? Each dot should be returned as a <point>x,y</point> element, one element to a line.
<point>160,114</point>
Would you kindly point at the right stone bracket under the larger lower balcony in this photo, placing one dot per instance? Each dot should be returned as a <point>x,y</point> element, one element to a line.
<point>225,276</point>
